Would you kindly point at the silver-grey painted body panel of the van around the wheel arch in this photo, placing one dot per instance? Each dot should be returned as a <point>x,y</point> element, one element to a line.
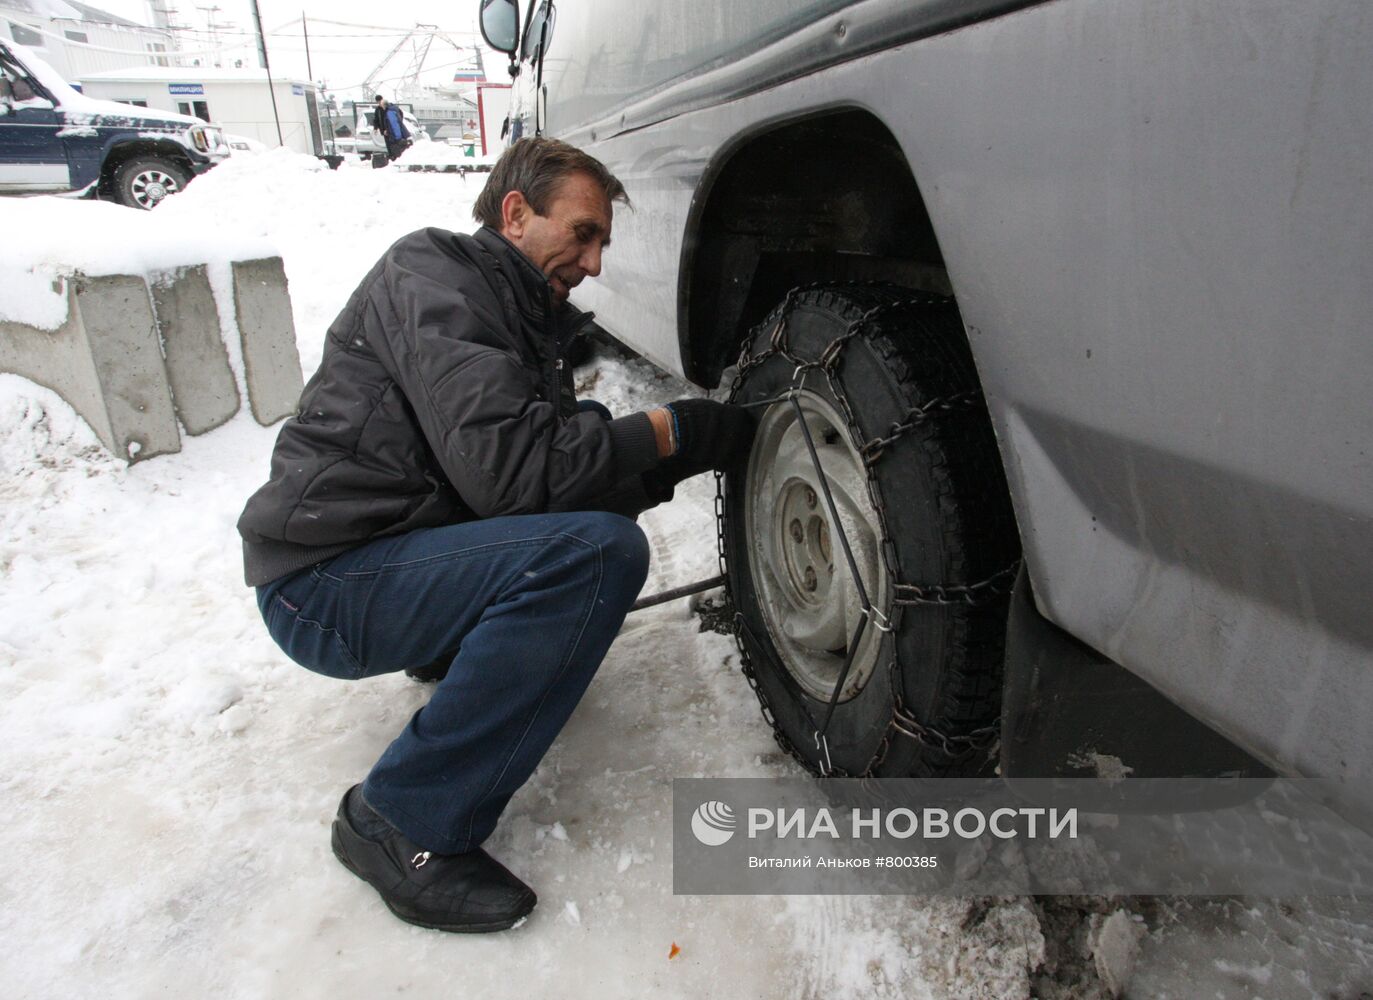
<point>1158,225</point>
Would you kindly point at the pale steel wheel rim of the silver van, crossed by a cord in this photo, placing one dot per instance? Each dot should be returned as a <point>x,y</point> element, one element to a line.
<point>805,589</point>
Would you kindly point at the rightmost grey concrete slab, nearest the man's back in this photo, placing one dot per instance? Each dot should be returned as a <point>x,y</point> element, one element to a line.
<point>271,362</point>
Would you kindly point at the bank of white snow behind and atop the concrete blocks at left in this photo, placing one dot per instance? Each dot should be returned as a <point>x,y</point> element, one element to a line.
<point>246,208</point>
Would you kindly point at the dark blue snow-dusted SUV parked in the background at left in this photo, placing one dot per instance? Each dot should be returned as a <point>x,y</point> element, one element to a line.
<point>57,141</point>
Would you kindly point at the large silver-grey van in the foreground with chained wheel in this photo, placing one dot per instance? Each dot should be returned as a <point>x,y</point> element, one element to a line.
<point>1057,317</point>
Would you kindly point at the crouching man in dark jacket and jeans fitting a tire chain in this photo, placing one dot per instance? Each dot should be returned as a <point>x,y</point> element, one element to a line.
<point>443,501</point>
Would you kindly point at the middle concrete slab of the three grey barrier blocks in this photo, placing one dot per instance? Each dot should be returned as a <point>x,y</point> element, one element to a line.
<point>198,366</point>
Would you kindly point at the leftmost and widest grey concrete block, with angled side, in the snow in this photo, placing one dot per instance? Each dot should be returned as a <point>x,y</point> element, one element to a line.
<point>106,362</point>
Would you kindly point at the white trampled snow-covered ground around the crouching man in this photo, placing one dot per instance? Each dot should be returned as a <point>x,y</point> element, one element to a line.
<point>168,777</point>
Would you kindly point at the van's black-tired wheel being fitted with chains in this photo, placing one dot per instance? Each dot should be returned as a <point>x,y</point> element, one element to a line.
<point>943,517</point>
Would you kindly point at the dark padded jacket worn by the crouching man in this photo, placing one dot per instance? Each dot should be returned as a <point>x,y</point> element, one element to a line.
<point>441,398</point>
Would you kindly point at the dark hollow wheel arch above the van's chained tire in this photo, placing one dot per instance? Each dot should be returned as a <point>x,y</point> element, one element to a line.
<point>827,196</point>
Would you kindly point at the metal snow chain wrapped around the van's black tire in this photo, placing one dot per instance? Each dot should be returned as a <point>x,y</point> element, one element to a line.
<point>903,723</point>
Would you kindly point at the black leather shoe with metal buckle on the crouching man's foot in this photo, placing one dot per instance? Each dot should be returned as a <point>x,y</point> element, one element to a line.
<point>468,894</point>
